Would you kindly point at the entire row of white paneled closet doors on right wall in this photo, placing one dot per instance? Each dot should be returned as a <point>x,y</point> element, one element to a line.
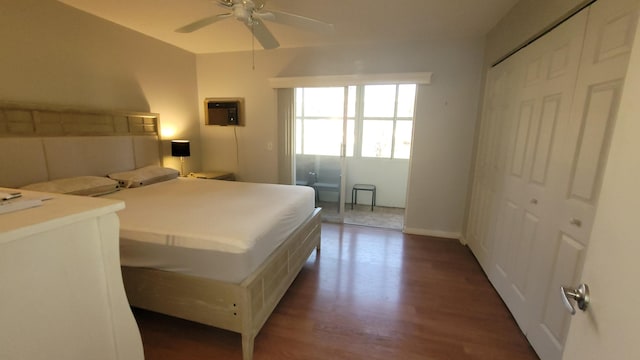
<point>548,115</point>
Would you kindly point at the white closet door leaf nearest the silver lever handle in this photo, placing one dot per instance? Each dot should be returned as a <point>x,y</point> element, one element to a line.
<point>608,42</point>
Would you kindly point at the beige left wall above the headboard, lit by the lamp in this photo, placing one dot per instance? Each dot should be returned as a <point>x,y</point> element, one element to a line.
<point>53,54</point>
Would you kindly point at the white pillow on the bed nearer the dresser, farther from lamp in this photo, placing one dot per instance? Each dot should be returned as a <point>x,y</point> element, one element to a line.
<point>79,185</point>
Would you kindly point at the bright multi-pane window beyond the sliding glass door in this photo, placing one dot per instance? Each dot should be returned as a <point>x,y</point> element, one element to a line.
<point>379,120</point>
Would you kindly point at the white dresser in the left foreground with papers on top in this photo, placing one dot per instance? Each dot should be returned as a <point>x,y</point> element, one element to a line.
<point>61,291</point>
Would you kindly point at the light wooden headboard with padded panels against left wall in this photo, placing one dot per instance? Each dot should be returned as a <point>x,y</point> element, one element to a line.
<point>41,143</point>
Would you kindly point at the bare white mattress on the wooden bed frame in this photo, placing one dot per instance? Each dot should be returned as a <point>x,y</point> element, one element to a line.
<point>221,230</point>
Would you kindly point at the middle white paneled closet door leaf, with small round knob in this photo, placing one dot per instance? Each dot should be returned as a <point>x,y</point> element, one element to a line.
<point>544,93</point>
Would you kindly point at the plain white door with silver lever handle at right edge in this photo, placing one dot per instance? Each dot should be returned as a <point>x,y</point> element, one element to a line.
<point>609,328</point>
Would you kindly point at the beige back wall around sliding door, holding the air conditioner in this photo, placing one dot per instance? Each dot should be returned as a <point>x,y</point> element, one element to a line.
<point>443,130</point>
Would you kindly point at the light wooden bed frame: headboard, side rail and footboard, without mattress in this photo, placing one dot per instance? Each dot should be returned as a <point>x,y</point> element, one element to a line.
<point>32,135</point>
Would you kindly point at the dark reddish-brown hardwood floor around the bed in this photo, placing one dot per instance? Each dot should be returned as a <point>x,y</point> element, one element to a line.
<point>370,294</point>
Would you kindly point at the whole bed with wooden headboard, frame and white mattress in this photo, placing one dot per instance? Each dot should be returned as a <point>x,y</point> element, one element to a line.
<point>193,272</point>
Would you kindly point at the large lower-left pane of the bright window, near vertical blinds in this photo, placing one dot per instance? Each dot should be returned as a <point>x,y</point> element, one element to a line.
<point>322,137</point>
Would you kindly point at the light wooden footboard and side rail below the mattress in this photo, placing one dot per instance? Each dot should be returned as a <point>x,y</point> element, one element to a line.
<point>242,308</point>
